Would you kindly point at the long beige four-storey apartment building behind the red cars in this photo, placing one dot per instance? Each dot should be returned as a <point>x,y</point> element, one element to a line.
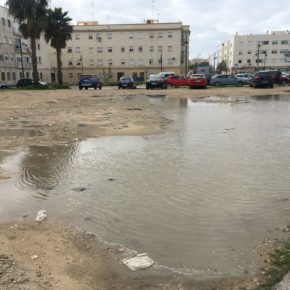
<point>113,50</point>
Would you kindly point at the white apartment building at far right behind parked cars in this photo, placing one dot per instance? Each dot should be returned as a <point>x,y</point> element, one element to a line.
<point>248,53</point>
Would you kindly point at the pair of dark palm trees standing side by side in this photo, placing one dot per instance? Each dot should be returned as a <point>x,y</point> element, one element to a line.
<point>34,18</point>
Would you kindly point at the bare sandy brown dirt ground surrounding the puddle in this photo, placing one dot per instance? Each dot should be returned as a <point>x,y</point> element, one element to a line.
<point>49,256</point>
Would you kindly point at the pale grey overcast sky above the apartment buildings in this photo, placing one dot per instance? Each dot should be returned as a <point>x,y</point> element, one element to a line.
<point>211,22</point>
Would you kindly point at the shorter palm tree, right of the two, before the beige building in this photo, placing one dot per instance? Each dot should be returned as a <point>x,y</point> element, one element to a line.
<point>58,32</point>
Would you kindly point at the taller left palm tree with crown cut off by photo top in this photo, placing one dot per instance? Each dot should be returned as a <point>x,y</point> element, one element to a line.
<point>31,15</point>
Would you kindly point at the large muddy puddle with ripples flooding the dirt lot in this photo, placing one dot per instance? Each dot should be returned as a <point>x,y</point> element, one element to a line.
<point>199,198</point>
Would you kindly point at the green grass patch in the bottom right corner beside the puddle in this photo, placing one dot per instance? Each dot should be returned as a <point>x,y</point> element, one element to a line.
<point>280,260</point>
